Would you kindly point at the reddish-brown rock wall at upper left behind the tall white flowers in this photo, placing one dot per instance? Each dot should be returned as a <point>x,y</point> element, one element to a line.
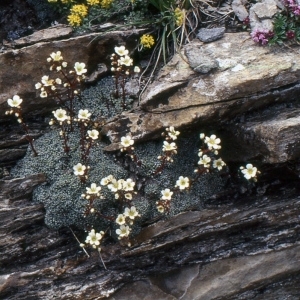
<point>22,68</point>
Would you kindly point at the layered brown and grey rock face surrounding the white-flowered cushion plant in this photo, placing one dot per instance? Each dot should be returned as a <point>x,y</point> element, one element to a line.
<point>243,243</point>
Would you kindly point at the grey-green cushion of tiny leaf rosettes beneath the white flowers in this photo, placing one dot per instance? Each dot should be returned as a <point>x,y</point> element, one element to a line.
<point>61,194</point>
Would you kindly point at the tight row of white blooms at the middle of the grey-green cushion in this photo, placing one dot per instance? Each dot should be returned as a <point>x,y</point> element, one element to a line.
<point>120,187</point>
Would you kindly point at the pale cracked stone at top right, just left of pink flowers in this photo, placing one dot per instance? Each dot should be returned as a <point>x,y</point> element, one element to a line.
<point>261,14</point>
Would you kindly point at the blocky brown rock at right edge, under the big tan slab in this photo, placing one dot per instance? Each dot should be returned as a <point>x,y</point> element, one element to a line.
<point>271,136</point>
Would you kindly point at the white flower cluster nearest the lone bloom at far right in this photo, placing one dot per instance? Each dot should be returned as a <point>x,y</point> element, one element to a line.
<point>213,145</point>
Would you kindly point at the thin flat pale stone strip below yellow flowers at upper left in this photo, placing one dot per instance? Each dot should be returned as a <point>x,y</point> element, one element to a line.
<point>51,33</point>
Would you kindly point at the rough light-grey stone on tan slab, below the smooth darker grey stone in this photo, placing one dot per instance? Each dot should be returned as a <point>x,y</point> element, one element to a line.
<point>200,61</point>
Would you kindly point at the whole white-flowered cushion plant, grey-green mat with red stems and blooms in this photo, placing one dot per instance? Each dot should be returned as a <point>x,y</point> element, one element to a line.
<point>103,194</point>
